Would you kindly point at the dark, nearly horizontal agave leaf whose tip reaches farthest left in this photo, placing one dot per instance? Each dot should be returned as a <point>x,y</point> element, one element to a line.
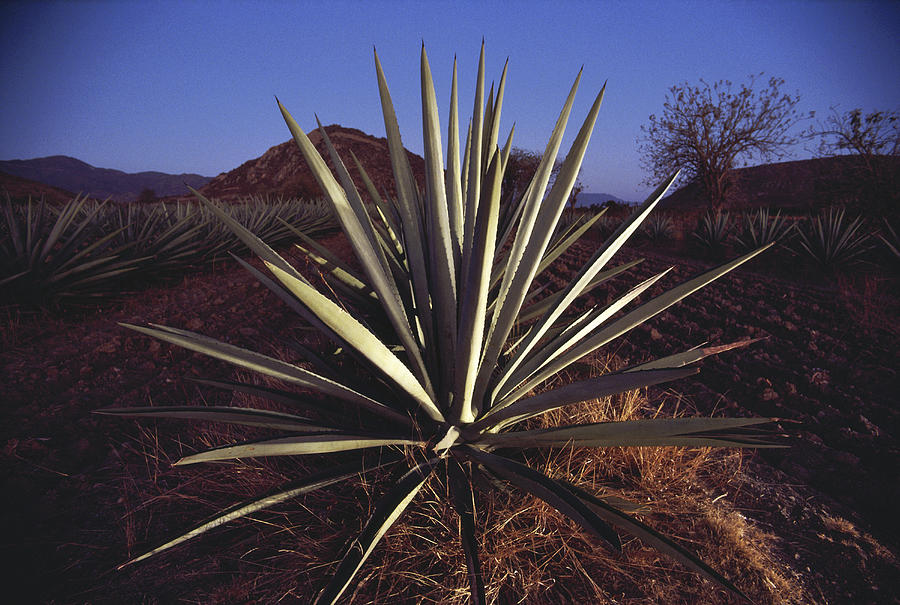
<point>232,415</point>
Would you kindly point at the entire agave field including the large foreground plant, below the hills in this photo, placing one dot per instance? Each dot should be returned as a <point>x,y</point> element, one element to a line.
<point>462,396</point>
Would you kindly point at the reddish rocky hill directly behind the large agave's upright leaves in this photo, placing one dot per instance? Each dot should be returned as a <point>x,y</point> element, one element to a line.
<point>282,171</point>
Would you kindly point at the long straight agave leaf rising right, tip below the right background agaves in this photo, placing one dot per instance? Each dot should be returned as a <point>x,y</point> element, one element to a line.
<point>630,320</point>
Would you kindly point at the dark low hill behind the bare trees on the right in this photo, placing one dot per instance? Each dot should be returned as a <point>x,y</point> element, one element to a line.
<point>800,184</point>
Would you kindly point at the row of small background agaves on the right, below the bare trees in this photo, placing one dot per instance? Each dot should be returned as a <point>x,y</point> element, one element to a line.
<point>829,239</point>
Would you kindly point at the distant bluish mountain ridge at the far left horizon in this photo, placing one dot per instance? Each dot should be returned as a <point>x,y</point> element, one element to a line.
<point>71,174</point>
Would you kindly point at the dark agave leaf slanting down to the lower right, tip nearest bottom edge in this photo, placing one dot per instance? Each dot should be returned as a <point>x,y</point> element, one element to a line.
<point>651,537</point>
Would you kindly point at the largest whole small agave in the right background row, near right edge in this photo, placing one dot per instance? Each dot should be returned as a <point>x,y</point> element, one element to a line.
<point>832,242</point>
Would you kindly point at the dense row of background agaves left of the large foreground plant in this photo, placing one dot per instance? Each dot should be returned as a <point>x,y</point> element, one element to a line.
<point>85,250</point>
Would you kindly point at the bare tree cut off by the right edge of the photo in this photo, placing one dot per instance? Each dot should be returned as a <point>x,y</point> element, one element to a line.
<point>874,139</point>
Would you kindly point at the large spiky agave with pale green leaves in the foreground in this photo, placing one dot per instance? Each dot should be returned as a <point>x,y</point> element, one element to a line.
<point>443,315</point>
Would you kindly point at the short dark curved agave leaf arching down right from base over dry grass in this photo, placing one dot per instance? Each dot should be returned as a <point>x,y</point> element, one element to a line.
<point>549,490</point>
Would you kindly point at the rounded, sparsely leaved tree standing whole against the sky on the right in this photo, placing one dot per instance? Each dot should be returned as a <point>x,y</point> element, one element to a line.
<point>707,130</point>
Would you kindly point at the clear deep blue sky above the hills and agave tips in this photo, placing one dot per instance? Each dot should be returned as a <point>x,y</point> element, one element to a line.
<point>189,86</point>
